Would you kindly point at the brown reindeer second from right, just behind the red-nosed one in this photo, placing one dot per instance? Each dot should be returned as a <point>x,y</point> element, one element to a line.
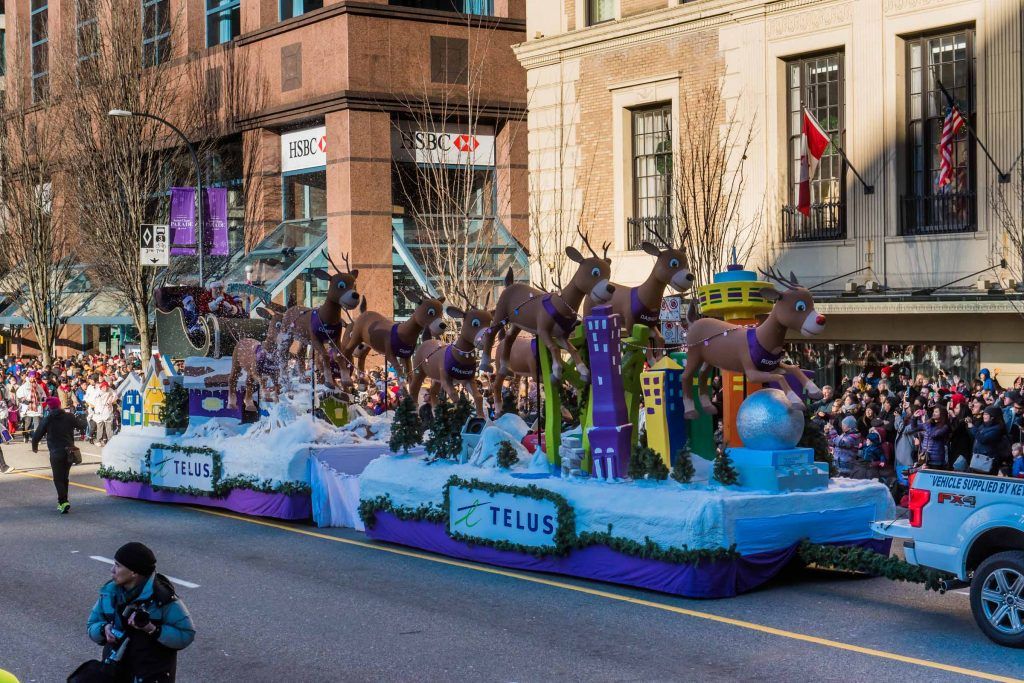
<point>643,305</point>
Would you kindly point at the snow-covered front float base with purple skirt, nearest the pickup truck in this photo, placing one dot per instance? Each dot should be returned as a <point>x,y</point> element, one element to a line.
<point>647,535</point>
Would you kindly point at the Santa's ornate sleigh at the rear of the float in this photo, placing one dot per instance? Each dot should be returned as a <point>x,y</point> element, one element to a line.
<point>210,335</point>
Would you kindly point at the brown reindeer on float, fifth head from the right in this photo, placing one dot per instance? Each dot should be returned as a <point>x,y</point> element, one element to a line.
<point>396,341</point>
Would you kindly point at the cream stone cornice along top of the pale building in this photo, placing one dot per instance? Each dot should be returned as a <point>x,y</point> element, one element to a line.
<point>682,19</point>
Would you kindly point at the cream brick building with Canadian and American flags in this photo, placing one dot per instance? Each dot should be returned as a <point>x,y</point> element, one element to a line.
<point>607,82</point>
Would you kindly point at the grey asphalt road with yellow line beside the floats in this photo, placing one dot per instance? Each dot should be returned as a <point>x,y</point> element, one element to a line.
<point>288,603</point>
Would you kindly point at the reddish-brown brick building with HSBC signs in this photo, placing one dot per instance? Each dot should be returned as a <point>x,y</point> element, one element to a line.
<point>343,78</point>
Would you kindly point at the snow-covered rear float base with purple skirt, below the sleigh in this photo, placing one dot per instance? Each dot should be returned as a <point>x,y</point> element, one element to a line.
<point>261,469</point>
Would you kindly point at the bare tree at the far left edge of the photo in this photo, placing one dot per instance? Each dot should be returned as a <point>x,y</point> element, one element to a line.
<point>37,251</point>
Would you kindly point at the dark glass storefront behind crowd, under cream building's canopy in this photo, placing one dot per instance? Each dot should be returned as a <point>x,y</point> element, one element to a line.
<point>832,363</point>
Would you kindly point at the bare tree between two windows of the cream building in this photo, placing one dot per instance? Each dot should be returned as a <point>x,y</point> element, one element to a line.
<point>708,185</point>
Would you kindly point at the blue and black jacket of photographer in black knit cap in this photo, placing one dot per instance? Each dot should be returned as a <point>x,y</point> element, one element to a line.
<point>146,656</point>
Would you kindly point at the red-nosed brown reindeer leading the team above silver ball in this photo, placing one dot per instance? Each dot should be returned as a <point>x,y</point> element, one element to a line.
<point>756,352</point>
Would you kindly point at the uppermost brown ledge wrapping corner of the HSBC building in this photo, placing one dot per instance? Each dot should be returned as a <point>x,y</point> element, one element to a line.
<point>383,12</point>
